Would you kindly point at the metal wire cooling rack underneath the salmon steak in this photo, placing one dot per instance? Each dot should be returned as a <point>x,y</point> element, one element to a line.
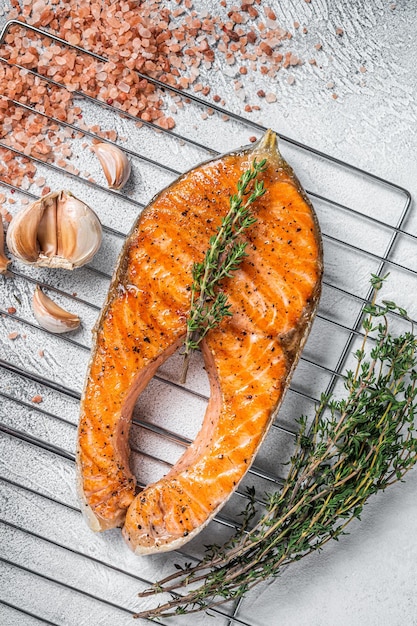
<point>54,561</point>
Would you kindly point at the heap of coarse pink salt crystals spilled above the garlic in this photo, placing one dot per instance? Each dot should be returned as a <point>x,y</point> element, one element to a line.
<point>170,44</point>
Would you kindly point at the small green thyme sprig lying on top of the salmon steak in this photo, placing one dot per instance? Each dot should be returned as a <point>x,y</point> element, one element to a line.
<point>224,255</point>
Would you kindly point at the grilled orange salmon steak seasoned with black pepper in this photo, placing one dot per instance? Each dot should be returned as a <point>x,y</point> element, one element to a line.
<point>249,357</point>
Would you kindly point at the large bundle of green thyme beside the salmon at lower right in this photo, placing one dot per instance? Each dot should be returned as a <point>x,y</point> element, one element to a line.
<point>354,448</point>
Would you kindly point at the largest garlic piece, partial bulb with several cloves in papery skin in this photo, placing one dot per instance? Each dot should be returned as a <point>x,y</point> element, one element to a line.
<point>58,230</point>
